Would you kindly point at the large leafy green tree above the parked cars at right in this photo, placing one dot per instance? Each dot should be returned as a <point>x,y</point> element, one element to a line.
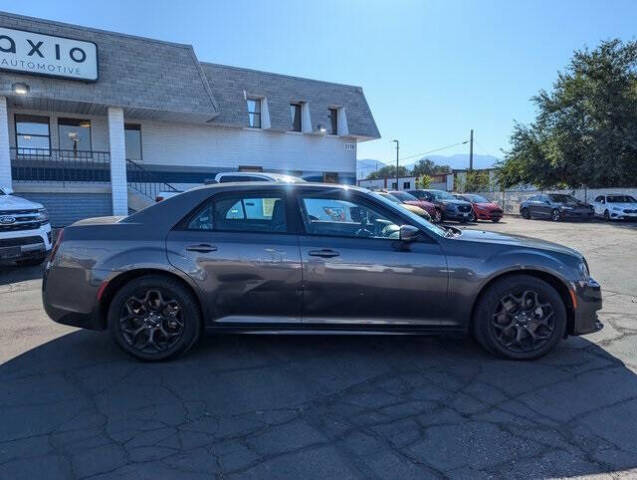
<point>585,132</point>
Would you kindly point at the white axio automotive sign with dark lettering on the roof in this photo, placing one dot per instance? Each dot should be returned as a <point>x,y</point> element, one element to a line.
<point>28,52</point>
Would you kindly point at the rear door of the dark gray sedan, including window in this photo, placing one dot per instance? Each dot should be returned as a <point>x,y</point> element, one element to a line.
<point>239,249</point>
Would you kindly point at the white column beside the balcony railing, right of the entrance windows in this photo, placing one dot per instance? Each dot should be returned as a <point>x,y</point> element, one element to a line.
<point>117,142</point>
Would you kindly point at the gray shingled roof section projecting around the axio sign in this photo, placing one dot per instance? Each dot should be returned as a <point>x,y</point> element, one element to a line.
<point>148,78</point>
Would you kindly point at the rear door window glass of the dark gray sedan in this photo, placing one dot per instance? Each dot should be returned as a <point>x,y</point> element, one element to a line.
<point>237,213</point>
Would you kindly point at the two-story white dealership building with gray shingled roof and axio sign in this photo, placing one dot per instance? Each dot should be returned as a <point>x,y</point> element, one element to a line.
<point>95,122</point>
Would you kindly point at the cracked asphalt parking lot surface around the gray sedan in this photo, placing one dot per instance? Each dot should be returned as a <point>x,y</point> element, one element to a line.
<point>303,407</point>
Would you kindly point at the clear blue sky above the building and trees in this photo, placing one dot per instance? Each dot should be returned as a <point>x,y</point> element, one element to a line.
<point>431,70</point>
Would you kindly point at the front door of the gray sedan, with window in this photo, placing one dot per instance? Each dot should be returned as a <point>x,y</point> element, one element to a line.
<point>357,271</point>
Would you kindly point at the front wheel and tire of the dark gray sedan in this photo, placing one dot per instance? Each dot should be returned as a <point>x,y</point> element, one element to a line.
<point>512,311</point>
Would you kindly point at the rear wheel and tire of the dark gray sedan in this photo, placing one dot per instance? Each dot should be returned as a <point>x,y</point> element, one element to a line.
<point>154,318</point>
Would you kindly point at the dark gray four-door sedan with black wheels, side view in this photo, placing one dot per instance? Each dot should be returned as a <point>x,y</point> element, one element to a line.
<point>292,258</point>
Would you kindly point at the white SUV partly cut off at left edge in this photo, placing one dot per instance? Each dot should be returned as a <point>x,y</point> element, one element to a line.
<point>25,231</point>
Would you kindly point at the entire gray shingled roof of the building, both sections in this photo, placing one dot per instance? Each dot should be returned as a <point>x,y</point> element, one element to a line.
<point>152,79</point>
